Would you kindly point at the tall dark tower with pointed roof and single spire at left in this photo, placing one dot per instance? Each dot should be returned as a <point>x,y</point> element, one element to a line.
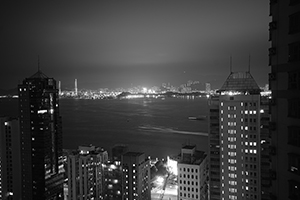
<point>41,138</point>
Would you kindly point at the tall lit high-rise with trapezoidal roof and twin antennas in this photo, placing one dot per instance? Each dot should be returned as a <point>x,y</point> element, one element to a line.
<point>237,113</point>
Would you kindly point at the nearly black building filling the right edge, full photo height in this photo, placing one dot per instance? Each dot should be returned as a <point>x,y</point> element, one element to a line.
<point>284,82</point>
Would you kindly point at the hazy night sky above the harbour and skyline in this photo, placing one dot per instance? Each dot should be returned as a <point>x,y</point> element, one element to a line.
<point>129,43</point>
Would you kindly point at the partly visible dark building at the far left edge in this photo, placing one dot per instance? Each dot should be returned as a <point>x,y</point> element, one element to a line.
<point>10,169</point>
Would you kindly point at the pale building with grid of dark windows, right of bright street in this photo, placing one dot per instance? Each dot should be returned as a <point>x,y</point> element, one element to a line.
<point>192,174</point>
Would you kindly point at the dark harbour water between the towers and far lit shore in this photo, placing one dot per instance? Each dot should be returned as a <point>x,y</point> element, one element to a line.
<point>155,126</point>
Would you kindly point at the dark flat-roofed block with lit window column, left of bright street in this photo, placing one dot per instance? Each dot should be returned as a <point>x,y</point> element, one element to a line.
<point>136,176</point>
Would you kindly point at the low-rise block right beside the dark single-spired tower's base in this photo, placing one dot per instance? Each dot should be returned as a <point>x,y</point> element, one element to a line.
<point>85,173</point>
